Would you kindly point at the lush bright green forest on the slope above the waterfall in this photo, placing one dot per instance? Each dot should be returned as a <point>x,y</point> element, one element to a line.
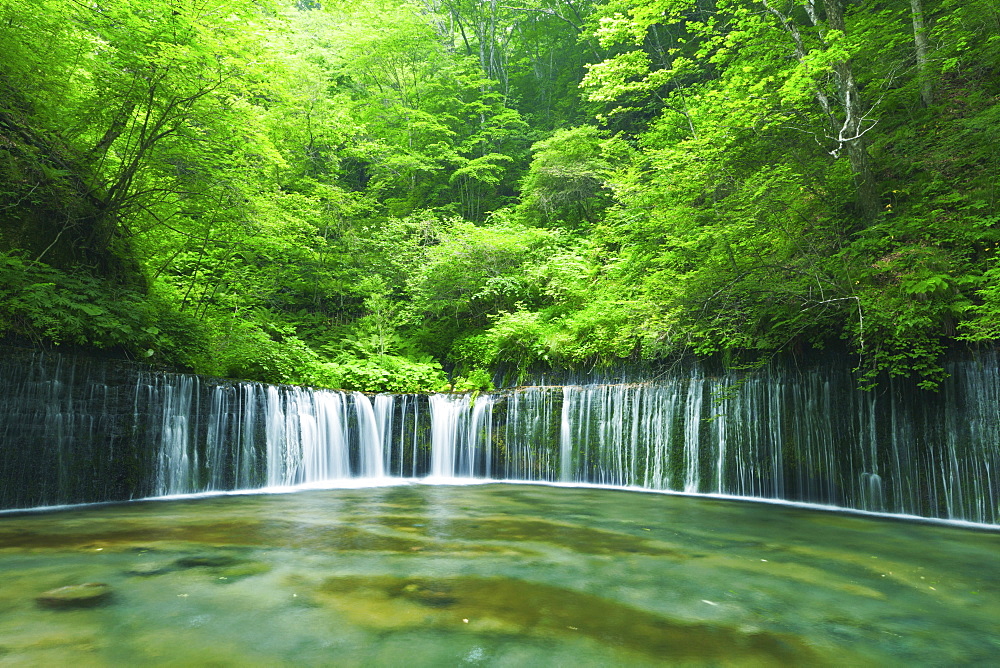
<point>407,196</point>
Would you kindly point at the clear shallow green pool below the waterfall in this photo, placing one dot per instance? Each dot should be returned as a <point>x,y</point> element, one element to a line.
<point>494,575</point>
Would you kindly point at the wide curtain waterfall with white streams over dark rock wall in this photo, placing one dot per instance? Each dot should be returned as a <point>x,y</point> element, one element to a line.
<point>89,430</point>
